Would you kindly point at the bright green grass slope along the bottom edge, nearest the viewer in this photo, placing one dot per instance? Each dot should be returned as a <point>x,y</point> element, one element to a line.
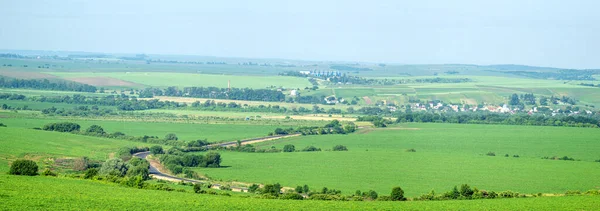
<point>49,193</point>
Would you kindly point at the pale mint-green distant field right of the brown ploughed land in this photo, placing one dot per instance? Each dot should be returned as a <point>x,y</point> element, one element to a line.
<point>163,79</point>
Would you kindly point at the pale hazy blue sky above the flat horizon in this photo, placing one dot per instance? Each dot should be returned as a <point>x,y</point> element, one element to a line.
<point>556,33</point>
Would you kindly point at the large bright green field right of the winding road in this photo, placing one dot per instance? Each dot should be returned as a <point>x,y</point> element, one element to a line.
<point>446,155</point>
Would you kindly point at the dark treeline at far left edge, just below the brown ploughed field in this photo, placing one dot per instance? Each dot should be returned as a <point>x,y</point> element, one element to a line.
<point>45,84</point>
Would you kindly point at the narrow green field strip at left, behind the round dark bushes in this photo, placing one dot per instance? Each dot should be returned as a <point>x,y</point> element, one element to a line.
<point>185,131</point>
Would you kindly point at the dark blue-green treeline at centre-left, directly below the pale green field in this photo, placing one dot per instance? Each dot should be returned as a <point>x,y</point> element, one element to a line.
<point>217,93</point>
